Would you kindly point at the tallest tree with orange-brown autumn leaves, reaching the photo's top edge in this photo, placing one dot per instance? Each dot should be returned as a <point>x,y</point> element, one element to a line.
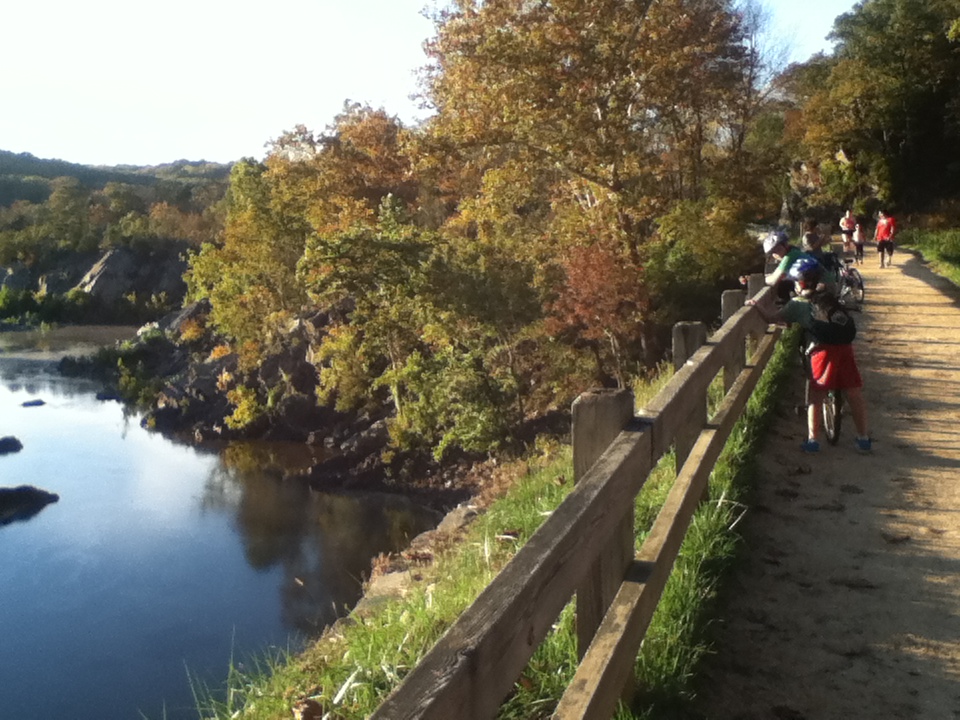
<point>583,123</point>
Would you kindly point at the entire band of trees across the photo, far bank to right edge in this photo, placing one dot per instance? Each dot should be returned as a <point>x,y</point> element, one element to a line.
<point>587,179</point>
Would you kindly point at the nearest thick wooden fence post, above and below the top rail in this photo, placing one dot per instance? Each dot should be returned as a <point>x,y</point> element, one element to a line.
<point>598,417</point>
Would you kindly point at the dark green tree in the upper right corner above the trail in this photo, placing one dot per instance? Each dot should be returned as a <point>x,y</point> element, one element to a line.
<point>885,121</point>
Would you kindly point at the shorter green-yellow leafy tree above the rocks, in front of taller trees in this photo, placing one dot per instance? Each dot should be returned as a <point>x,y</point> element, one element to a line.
<point>414,331</point>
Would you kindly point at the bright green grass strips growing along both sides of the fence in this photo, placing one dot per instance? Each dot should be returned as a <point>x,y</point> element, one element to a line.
<point>352,669</point>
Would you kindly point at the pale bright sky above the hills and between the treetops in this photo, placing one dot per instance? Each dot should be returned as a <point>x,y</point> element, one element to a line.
<point>107,82</point>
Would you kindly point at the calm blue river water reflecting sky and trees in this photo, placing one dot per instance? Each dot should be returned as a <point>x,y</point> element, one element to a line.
<point>159,563</point>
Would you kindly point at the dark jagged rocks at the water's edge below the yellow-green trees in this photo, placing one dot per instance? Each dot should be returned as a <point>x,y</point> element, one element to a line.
<point>193,403</point>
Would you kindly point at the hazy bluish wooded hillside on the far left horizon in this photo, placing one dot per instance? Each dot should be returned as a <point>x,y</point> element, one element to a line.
<point>25,177</point>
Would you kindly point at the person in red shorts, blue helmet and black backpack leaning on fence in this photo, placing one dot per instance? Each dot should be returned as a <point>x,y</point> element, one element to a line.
<point>828,332</point>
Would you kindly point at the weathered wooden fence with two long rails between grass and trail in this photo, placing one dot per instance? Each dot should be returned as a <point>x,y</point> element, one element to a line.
<point>586,546</point>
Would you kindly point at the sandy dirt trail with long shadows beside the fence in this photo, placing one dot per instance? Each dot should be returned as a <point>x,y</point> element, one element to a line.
<point>847,604</point>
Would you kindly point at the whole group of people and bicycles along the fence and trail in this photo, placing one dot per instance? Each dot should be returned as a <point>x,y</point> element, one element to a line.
<point>810,283</point>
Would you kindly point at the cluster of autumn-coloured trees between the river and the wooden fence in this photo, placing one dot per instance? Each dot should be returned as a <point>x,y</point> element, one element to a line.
<point>576,191</point>
